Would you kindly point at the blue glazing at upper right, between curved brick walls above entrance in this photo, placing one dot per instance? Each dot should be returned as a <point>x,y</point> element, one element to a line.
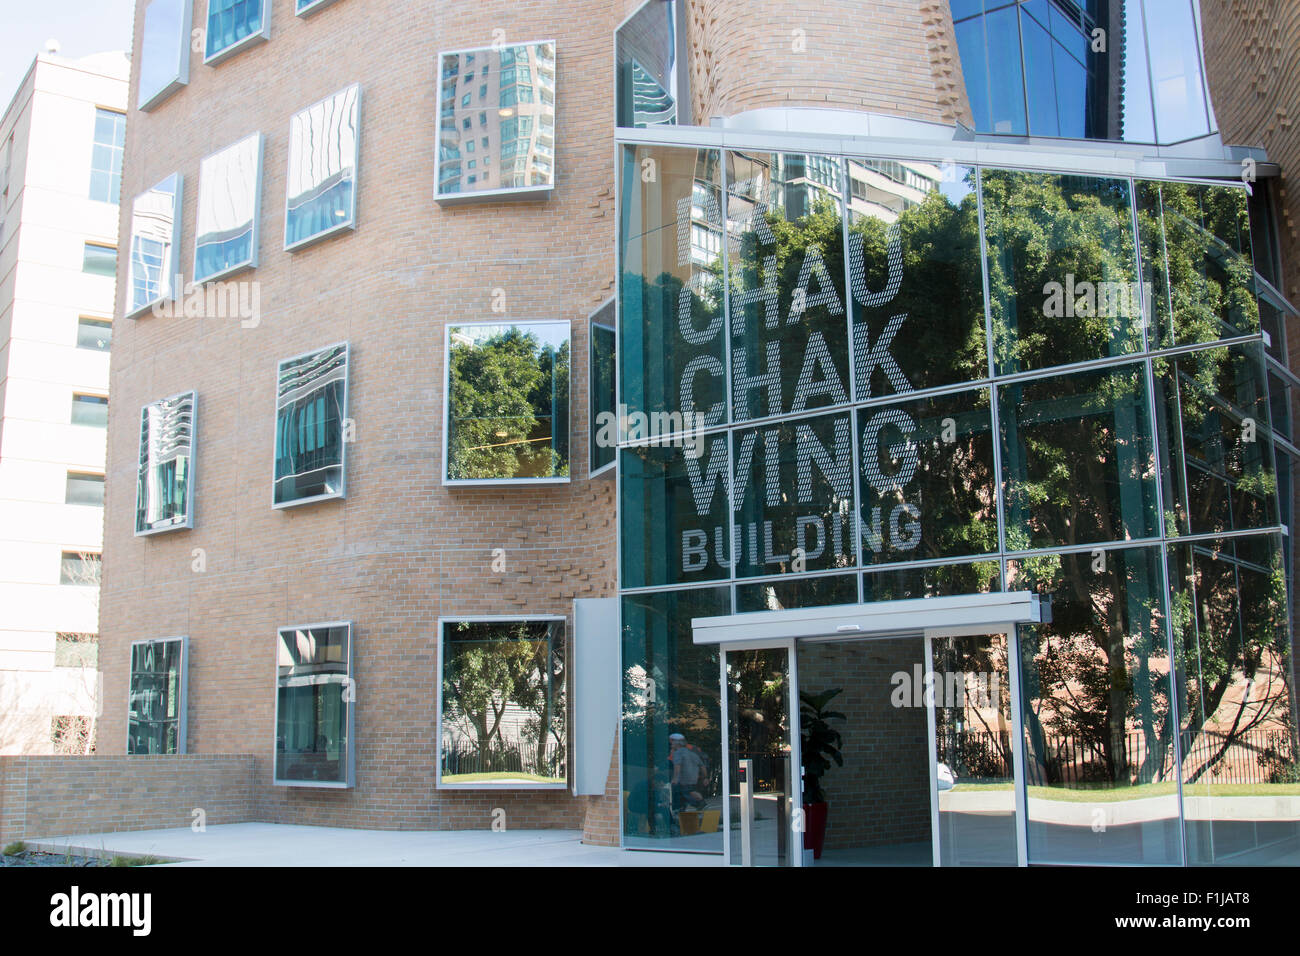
<point>1085,70</point>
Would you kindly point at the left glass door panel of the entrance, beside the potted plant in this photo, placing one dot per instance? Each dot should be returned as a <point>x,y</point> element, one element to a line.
<point>764,812</point>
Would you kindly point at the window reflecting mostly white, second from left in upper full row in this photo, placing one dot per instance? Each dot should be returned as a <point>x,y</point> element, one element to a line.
<point>227,224</point>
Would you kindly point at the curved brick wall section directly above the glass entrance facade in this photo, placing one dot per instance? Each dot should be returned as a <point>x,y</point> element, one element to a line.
<point>886,57</point>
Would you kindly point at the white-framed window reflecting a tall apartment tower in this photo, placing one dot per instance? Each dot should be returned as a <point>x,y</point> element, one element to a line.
<point>519,123</point>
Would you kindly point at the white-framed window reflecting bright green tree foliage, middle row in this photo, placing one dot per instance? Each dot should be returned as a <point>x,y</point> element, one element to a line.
<point>508,404</point>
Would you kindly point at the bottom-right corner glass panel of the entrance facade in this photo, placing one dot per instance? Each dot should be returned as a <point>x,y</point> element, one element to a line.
<point>1237,702</point>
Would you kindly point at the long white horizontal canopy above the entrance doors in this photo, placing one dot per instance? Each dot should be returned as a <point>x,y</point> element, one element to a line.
<point>934,617</point>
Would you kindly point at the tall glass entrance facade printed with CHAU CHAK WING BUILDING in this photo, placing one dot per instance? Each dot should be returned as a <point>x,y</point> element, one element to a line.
<point>860,405</point>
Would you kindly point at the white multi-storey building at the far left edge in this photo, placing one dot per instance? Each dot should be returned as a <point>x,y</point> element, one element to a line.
<point>62,145</point>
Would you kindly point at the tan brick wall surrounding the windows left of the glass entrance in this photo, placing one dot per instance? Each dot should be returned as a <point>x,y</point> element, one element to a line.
<point>402,551</point>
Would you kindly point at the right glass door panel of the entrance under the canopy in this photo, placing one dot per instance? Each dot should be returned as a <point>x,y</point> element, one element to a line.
<point>974,752</point>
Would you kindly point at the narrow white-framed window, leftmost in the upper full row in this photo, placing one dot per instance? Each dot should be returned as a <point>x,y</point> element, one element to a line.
<point>153,271</point>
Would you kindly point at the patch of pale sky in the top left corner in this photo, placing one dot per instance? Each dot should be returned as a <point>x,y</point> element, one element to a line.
<point>81,28</point>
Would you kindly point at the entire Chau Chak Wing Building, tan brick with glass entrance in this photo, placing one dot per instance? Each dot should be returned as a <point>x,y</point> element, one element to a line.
<point>513,429</point>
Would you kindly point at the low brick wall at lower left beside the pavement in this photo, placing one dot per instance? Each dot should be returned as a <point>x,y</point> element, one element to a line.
<point>59,797</point>
